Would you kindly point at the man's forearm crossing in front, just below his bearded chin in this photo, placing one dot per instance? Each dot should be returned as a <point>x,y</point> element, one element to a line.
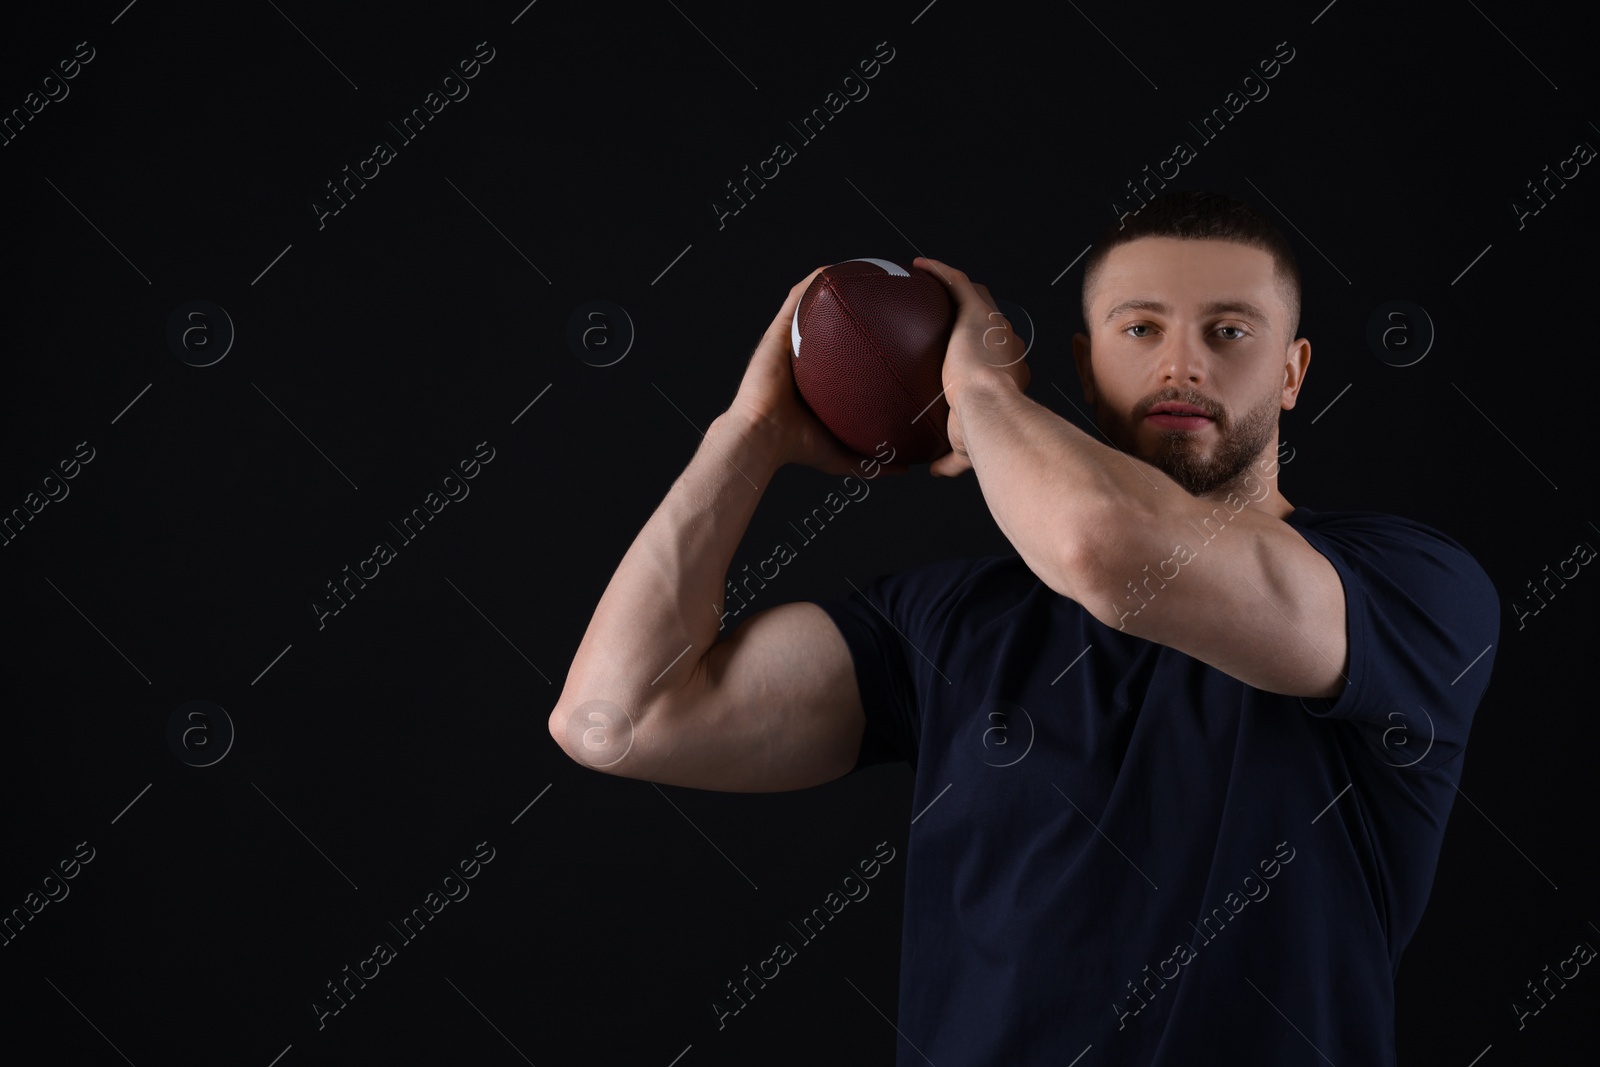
<point>1066,502</point>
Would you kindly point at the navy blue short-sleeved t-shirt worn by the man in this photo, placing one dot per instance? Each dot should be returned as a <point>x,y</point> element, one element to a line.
<point>1116,845</point>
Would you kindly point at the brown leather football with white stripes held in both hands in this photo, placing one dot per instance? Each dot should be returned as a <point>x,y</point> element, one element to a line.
<point>868,353</point>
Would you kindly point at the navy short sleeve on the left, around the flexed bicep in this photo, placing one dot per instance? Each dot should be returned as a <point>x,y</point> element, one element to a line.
<point>892,625</point>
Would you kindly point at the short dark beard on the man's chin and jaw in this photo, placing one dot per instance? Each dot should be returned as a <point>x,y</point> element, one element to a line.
<point>1182,455</point>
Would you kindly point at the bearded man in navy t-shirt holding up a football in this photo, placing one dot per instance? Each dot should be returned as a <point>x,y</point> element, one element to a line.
<point>1183,762</point>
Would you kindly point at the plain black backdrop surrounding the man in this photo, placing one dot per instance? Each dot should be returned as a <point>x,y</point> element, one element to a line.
<point>378,351</point>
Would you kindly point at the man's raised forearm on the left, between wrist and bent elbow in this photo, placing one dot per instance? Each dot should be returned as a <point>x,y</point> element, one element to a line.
<point>663,607</point>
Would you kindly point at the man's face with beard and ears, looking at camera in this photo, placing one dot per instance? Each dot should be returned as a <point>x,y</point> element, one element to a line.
<point>1196,324</point>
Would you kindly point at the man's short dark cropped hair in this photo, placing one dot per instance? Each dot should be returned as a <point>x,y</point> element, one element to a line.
<point>1199,215</point>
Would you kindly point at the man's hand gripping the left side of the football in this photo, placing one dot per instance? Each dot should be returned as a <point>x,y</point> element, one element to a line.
<point>770,404</point>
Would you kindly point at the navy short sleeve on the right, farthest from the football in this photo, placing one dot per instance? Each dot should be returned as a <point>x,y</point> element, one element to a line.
<point>1422,623</point>
